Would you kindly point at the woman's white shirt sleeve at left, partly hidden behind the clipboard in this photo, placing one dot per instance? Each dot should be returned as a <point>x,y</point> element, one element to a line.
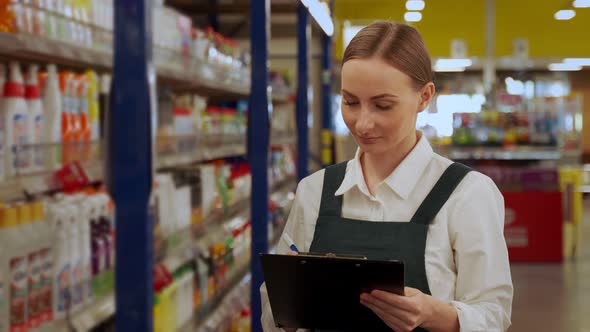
<point>294,230</point>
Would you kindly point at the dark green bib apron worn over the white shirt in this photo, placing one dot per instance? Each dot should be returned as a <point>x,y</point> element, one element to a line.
<point>403,241</point>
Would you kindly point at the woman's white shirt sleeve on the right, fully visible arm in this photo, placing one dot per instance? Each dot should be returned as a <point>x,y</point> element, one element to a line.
<point>484,291</point>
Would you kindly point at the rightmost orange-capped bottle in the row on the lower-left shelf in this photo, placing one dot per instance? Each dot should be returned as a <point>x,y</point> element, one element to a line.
<point>45,307</point>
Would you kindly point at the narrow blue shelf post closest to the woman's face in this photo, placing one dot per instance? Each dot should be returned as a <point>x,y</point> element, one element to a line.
<point>327,112</point>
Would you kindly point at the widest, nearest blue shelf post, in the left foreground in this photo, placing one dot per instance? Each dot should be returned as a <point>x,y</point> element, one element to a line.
<point>130,164</point>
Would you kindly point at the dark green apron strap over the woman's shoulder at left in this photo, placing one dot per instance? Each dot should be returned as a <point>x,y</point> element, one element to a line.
<point>331,205</point>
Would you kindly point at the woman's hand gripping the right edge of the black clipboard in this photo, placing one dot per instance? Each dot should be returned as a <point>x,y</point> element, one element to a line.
<point>401,313</point>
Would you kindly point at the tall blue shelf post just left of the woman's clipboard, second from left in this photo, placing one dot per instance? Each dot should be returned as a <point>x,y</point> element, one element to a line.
<point>258,146</point>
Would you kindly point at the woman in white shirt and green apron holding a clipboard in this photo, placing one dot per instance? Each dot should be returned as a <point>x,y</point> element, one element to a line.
<point>397,199</point>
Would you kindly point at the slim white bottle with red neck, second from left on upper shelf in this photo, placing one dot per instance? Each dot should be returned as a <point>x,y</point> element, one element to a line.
<point>35,120</point>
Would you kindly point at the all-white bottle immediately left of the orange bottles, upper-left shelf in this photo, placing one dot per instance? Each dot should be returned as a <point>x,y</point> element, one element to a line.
<point>52,109</point>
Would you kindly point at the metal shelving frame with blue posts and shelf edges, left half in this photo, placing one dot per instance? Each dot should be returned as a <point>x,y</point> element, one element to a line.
<point>130,180</point>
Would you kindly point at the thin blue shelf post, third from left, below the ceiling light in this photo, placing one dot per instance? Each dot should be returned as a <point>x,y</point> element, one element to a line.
<point>302,102</point>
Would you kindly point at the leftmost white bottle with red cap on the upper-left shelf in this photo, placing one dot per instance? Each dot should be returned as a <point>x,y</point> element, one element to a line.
<point>15,118</point>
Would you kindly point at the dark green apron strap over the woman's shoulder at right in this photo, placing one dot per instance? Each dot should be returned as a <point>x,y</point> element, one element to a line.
<point>441,192</point>
